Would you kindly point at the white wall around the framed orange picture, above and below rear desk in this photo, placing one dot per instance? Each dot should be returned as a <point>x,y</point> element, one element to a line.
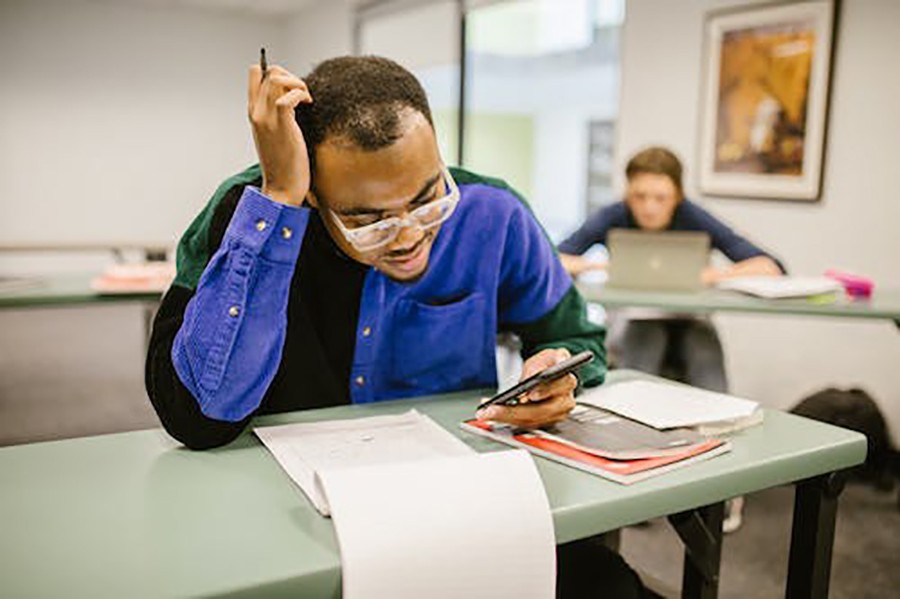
<point>779,359</point>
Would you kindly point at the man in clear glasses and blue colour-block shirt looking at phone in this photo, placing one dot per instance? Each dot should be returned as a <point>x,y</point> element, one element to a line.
<point>351,266</point>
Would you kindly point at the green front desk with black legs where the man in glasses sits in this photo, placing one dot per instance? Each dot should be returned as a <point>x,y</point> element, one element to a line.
<point>133,515</point>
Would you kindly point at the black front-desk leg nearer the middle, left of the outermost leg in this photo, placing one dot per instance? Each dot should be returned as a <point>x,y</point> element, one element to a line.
<point>701,532</point>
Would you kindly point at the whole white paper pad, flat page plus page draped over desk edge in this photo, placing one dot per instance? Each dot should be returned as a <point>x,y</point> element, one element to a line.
<point>418,513</point>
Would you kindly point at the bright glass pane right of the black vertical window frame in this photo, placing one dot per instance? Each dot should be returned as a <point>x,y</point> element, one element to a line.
<point>542,98</point>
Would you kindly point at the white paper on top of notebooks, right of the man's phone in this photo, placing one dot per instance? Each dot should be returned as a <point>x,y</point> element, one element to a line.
<point>663,405</point>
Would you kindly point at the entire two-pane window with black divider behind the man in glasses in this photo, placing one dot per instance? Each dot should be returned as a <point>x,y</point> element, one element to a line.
<point>538,91</point>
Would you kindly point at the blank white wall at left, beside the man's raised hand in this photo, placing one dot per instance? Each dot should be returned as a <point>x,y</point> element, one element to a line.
<point>118,121</point>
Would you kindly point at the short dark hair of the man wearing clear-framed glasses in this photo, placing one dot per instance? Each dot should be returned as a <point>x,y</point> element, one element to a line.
<point>360,99</point>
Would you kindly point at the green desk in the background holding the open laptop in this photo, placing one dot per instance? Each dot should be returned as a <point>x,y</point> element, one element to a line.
<point>884,303</point>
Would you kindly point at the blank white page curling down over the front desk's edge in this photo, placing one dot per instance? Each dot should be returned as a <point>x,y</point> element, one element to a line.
<point>476,526</point>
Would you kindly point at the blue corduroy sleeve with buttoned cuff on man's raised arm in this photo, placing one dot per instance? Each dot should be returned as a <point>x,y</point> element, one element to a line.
<point>229,346</point>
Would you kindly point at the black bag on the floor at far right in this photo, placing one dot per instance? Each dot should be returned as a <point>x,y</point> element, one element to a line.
<point>856,410</point>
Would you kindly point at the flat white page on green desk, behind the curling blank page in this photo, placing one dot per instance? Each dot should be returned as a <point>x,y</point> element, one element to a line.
<point>305,449</point>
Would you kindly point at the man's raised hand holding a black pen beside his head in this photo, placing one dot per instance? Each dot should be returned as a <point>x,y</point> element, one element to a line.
<point>274,93</point>
